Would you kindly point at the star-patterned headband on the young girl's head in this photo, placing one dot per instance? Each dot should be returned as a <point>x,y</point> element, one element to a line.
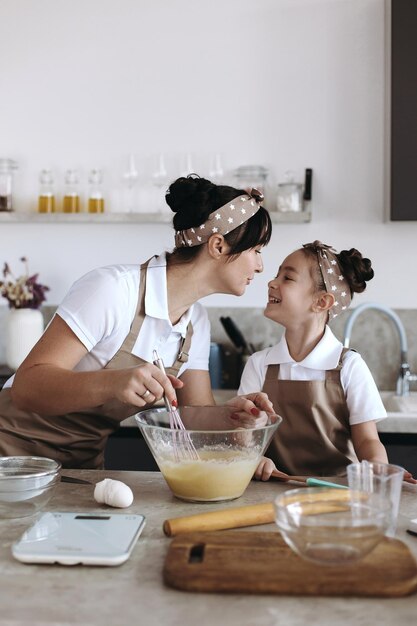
<point>333,278</point>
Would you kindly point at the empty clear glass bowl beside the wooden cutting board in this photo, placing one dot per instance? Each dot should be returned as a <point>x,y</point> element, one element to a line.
<point>331,526</point>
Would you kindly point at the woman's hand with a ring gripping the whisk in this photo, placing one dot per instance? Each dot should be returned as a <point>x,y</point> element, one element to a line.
<point>143,385</point>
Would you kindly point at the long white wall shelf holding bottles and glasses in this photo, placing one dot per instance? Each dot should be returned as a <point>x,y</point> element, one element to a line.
<point>123,218</point>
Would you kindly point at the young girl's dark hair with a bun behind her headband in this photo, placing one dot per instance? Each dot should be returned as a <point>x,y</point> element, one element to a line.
<point>356,269</point>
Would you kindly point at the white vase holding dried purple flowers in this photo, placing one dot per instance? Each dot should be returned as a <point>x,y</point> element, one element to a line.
<point>24,328</point>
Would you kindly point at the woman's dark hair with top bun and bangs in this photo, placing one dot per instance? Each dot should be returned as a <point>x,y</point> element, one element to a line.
<point>192,199</point>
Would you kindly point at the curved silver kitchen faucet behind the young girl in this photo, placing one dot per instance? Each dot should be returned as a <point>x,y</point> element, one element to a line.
<point>405,377</point>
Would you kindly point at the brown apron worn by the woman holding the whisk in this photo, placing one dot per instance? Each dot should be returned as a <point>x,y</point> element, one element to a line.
<point>78,439</point>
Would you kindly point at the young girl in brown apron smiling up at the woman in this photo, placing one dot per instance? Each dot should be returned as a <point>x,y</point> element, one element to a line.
<point>324,392</point>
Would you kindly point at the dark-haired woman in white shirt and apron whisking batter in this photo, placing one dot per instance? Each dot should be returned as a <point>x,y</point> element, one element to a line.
<point>93,365</point>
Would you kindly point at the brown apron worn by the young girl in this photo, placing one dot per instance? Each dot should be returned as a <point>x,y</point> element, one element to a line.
<point>314,437</point>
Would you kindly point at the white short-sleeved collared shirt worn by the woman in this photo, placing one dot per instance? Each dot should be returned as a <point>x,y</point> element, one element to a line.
<point>100,306</point>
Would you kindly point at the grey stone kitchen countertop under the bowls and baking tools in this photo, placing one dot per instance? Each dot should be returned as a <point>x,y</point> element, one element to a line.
<point>134,593</point>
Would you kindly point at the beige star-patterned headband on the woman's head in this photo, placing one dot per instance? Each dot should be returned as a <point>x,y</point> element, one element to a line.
<point>222,221</point>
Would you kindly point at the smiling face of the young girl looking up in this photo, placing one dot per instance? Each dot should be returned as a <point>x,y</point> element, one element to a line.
<point>292,293</point>
